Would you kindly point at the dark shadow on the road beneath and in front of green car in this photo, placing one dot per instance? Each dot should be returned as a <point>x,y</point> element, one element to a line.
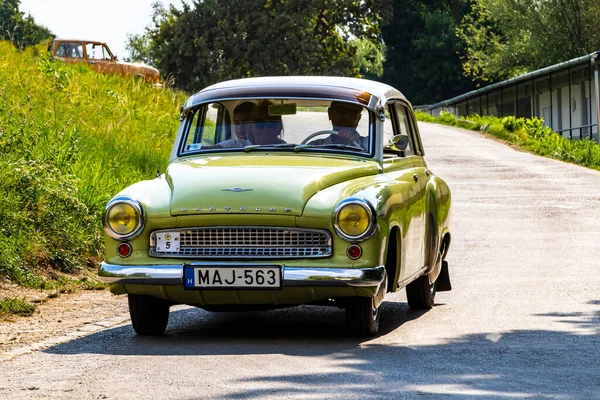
<point>514,364</point>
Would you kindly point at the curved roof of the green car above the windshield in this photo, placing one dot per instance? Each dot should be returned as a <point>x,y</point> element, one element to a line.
<point>325,87</point>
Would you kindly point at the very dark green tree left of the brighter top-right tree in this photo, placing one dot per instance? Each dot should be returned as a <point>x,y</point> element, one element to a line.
<point>423,50</point>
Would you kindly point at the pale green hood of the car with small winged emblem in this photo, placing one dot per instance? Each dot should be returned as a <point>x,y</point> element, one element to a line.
<point>256,184</point>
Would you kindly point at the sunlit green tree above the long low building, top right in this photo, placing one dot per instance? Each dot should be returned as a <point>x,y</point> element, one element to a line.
<point>506,38</point>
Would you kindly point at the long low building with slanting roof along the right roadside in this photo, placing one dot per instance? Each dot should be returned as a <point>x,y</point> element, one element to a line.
<point>565,96</point>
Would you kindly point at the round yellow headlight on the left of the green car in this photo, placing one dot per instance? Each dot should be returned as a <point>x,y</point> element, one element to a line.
<point>123,218</point>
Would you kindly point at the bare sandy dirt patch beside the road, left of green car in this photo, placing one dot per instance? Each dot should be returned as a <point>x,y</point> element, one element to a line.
<point>56,316</point>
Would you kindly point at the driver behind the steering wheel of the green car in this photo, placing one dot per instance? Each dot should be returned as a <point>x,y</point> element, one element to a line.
<point>344,118</point>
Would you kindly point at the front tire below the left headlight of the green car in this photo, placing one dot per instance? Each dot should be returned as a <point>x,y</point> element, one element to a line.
<point>149,315</point>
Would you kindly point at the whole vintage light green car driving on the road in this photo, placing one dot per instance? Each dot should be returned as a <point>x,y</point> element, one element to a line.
<point>283,191</point>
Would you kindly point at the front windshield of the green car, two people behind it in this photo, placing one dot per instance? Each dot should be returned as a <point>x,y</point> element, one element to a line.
<point>277,124</point>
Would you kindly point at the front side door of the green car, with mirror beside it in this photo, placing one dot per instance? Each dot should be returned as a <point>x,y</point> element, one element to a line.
<point>409,171</point>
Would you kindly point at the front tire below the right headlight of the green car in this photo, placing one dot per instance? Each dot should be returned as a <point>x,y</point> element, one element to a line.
<point>362,318</point>
